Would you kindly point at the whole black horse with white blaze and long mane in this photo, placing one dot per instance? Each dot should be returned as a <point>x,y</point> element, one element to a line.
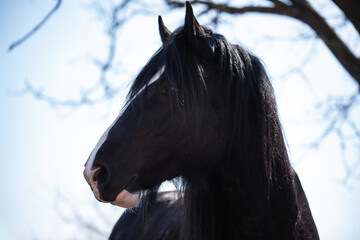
<point>203,112</point>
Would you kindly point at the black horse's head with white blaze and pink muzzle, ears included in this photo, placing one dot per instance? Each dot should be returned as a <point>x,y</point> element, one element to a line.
<point>173,123</point>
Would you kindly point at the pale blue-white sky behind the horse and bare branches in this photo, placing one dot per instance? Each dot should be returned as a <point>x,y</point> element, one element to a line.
<point>43,148</point>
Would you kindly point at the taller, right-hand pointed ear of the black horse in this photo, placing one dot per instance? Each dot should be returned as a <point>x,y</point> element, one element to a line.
<point>196,34</point>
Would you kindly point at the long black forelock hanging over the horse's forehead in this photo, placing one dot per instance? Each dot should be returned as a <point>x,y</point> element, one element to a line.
<point>182,70</point>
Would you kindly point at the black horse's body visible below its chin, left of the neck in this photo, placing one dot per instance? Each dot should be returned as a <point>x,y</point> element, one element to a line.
<point>161,221</point>
